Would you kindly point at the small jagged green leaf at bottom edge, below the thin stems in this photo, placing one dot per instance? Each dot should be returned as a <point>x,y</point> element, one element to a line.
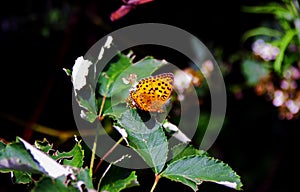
<point>118,179</point>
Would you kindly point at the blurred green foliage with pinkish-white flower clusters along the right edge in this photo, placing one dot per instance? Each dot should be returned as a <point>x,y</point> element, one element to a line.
<point>272,66</point>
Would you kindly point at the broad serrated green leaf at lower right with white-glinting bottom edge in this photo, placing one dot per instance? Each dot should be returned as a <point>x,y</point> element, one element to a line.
<point>193,170</point>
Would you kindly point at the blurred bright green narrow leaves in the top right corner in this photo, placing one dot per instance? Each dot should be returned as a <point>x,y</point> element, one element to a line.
<point>283,34</point>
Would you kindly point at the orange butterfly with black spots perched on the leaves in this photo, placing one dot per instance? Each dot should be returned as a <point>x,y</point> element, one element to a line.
<point>151,93</point>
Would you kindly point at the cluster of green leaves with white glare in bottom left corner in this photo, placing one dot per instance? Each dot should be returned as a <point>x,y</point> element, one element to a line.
<point>26,162</point>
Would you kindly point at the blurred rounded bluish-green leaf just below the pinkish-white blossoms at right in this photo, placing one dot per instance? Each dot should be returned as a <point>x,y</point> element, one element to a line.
<point>254,71</point>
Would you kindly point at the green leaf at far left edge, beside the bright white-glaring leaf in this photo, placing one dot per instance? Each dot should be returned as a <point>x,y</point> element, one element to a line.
<point>14,157</point>
